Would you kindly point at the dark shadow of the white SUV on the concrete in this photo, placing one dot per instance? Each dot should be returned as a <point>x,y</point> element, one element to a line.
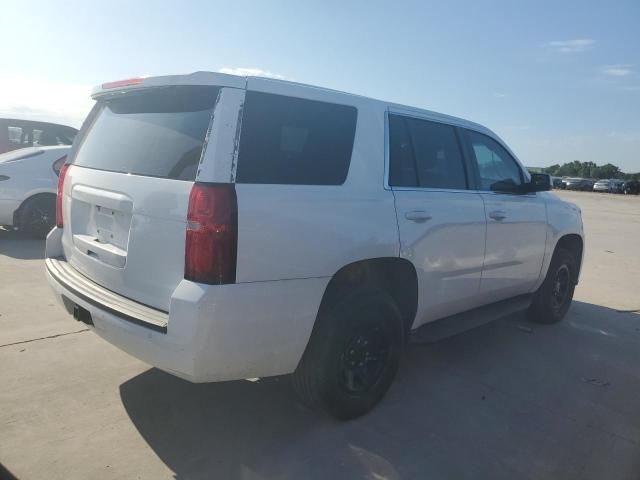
<point>509,399</point>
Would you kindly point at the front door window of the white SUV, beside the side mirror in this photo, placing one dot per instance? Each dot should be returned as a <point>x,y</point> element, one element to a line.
<point>493,161</point>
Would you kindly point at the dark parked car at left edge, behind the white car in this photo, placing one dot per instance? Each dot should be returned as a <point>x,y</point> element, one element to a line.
<point>15,134</point>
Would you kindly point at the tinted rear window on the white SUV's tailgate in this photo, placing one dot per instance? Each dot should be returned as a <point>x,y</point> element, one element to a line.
<point>158,133</point>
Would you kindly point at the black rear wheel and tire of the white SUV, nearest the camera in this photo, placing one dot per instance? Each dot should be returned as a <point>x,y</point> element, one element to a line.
<point>353,355</point>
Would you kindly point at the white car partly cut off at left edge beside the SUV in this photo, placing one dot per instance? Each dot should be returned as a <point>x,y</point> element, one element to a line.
<point>28,186</point>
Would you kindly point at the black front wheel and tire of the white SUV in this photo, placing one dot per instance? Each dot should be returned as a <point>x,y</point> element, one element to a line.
<point>553,299</point>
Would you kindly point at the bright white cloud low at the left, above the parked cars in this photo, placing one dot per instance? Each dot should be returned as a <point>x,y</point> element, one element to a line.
<point>30,99</point>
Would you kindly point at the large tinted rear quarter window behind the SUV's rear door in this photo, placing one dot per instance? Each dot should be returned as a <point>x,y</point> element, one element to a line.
<point>288,140</point>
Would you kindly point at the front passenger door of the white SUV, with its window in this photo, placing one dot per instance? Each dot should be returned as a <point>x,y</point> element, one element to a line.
<point>516,222</point>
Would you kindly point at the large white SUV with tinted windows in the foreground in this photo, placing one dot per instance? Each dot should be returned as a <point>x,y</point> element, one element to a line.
<point>222,227</point>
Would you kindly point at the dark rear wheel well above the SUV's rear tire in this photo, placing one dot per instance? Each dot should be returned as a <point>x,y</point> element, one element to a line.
<point>396,276</point>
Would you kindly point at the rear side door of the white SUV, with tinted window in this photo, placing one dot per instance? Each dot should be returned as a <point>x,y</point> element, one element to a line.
<point>441,222</point>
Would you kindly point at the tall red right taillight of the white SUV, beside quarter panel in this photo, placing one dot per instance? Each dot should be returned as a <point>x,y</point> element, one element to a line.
<point>212,234</point>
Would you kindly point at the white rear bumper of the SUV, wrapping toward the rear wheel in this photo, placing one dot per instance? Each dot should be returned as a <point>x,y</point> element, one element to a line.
<point>212,333</point>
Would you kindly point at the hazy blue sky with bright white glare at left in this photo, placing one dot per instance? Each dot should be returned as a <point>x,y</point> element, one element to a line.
<point>558,81</point>
